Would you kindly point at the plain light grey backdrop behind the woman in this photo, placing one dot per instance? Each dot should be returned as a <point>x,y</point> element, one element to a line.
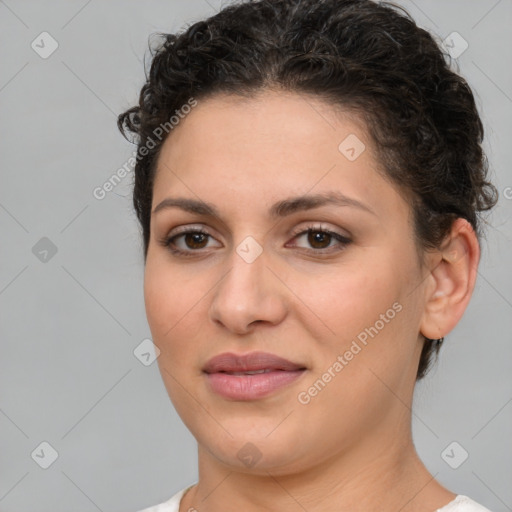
<point>69,325</point>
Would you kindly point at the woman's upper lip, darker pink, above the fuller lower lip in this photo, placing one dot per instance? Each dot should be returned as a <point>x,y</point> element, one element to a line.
<point>252,363</point>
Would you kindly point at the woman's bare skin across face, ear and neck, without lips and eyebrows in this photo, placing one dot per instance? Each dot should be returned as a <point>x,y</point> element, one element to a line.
<point>243,155</point>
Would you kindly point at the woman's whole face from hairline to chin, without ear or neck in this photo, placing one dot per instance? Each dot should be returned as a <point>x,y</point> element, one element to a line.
<point>342,302</point>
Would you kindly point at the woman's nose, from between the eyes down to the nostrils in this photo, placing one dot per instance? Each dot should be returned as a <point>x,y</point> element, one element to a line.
<point>249,294</point>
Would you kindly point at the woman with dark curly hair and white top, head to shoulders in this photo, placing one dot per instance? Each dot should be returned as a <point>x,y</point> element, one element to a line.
<point>309,181</point>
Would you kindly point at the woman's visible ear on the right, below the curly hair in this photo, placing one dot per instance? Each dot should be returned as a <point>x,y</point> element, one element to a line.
<point>451,281</point>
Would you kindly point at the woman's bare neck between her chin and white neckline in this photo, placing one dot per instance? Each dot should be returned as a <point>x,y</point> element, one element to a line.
<point>384,475</point>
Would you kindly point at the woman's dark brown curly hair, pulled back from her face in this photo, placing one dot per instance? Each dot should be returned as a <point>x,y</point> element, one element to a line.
<point>368,58</point>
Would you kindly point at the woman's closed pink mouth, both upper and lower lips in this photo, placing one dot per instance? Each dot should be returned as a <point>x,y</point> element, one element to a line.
<point>250,376</point>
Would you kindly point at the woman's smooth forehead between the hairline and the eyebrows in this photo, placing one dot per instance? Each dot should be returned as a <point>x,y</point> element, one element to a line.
<point>272,145</point>
